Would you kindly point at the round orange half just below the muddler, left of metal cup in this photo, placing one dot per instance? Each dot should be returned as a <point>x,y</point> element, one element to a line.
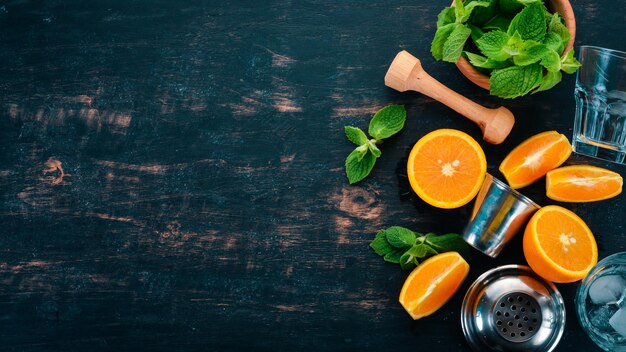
<point>446,168</point>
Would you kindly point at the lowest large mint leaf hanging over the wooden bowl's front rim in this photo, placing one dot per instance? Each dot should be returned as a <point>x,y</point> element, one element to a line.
<point>515,81</point>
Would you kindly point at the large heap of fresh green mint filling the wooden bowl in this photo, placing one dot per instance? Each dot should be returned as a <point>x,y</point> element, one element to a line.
<point>520,43</point>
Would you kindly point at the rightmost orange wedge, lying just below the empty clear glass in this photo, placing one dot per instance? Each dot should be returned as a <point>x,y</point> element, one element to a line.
<point>582,183</point>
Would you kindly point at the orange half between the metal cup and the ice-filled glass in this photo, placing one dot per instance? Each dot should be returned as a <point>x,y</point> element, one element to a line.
<point>558,245</point>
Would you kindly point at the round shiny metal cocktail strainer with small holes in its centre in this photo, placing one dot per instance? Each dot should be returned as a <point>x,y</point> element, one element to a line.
<point>510,308</point>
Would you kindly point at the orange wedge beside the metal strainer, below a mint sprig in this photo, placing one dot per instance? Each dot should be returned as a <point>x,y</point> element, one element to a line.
<point>433,283</point>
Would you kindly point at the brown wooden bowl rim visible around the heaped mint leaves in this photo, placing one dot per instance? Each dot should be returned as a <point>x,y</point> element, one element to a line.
<point>563,7</point>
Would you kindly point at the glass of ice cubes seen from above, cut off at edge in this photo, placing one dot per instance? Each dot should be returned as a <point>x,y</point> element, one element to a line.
<point>601,303</point>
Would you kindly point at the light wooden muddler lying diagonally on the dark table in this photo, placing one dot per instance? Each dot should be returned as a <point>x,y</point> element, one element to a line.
<point>406,73</point>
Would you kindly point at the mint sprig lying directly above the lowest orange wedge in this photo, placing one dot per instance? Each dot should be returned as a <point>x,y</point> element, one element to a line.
<point>402,246</point>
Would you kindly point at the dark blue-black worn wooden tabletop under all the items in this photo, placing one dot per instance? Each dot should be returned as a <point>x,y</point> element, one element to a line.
<point>171,174</point>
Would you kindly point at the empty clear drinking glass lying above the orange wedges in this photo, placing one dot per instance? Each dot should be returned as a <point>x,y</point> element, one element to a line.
<point>600,124</point>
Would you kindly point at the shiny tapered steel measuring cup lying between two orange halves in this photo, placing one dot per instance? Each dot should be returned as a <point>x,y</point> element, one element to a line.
<point>499,213</point>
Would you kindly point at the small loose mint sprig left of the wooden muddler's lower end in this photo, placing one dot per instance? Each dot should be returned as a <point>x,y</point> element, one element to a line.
<point>385,123</point>
